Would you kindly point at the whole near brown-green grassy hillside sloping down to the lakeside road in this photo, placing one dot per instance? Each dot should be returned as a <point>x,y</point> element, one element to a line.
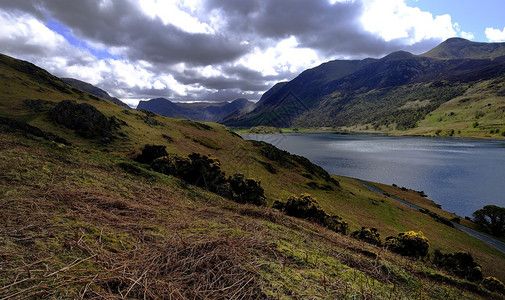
<point>82,219</point>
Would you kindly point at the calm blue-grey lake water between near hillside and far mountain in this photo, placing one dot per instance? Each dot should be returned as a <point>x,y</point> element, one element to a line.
<point>462,175</point>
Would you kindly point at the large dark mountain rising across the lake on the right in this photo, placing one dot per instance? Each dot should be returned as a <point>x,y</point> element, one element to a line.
<point>395,92</point>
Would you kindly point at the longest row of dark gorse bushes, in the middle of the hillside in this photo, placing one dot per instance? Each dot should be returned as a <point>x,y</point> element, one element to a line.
<point>205,171</point>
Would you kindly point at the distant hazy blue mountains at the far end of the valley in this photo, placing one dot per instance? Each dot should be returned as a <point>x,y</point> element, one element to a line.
<point>198,111</point>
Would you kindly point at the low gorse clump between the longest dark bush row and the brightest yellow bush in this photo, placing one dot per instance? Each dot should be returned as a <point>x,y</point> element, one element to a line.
<point>306,207</point>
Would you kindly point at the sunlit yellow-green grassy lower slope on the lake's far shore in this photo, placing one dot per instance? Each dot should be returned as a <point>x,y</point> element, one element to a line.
<point>479,112</point>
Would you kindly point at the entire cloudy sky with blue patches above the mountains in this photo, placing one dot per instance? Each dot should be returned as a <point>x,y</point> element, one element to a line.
<point>219,50</point>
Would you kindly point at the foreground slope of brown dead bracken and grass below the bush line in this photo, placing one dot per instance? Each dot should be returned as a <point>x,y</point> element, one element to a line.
<point>76,225</point>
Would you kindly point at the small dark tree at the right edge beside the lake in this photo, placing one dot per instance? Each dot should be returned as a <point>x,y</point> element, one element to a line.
<point>491,218</point>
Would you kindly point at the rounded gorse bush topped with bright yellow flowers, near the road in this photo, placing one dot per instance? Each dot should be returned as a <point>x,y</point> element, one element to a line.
<point>409,243</point>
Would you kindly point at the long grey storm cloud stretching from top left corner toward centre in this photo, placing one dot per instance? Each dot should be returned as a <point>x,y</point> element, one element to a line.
<point>121,24</point>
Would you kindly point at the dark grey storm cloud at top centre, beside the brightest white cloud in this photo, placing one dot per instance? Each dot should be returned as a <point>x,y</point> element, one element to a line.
<point>331,29</point>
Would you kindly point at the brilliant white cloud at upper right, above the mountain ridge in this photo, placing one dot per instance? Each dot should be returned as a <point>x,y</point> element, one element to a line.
<point>395,20</point>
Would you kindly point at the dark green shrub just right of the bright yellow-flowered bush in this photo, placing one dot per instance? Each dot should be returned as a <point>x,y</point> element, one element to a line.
<point>460,264</point>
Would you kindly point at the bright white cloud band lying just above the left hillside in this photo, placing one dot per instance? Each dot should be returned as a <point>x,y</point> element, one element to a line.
<point>25,37</point>
